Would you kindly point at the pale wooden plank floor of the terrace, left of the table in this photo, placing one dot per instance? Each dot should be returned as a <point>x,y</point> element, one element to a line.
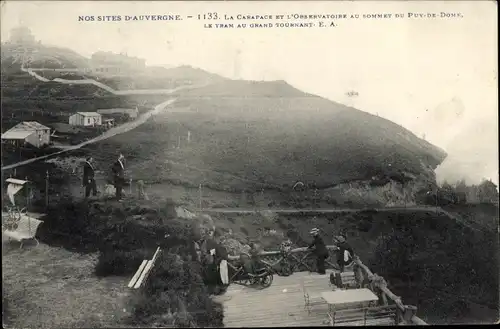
<point>280,305</point>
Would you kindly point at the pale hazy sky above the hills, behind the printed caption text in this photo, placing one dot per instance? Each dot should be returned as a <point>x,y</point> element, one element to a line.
<point>436,77</point>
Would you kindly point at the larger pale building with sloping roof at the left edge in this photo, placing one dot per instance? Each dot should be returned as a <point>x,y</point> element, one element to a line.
<point>28,132</point>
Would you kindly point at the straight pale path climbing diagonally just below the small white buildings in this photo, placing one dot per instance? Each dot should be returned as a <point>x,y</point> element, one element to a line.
<point>110,133</point>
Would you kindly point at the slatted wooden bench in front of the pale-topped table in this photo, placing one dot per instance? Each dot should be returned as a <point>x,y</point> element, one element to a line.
<point>372,316</point>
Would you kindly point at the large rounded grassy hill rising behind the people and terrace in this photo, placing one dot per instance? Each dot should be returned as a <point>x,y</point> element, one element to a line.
<point>273,134</point>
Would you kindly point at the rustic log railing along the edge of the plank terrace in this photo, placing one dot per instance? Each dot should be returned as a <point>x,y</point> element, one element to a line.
<point>301,259</point>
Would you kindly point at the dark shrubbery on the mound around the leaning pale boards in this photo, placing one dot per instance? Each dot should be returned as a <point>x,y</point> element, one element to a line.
<point>174,294</point>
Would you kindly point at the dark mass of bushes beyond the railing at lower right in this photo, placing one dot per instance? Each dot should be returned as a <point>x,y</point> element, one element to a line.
<point>437,255</point>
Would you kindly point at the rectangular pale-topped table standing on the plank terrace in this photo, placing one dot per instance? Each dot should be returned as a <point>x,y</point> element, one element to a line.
<point>351,296</point>
